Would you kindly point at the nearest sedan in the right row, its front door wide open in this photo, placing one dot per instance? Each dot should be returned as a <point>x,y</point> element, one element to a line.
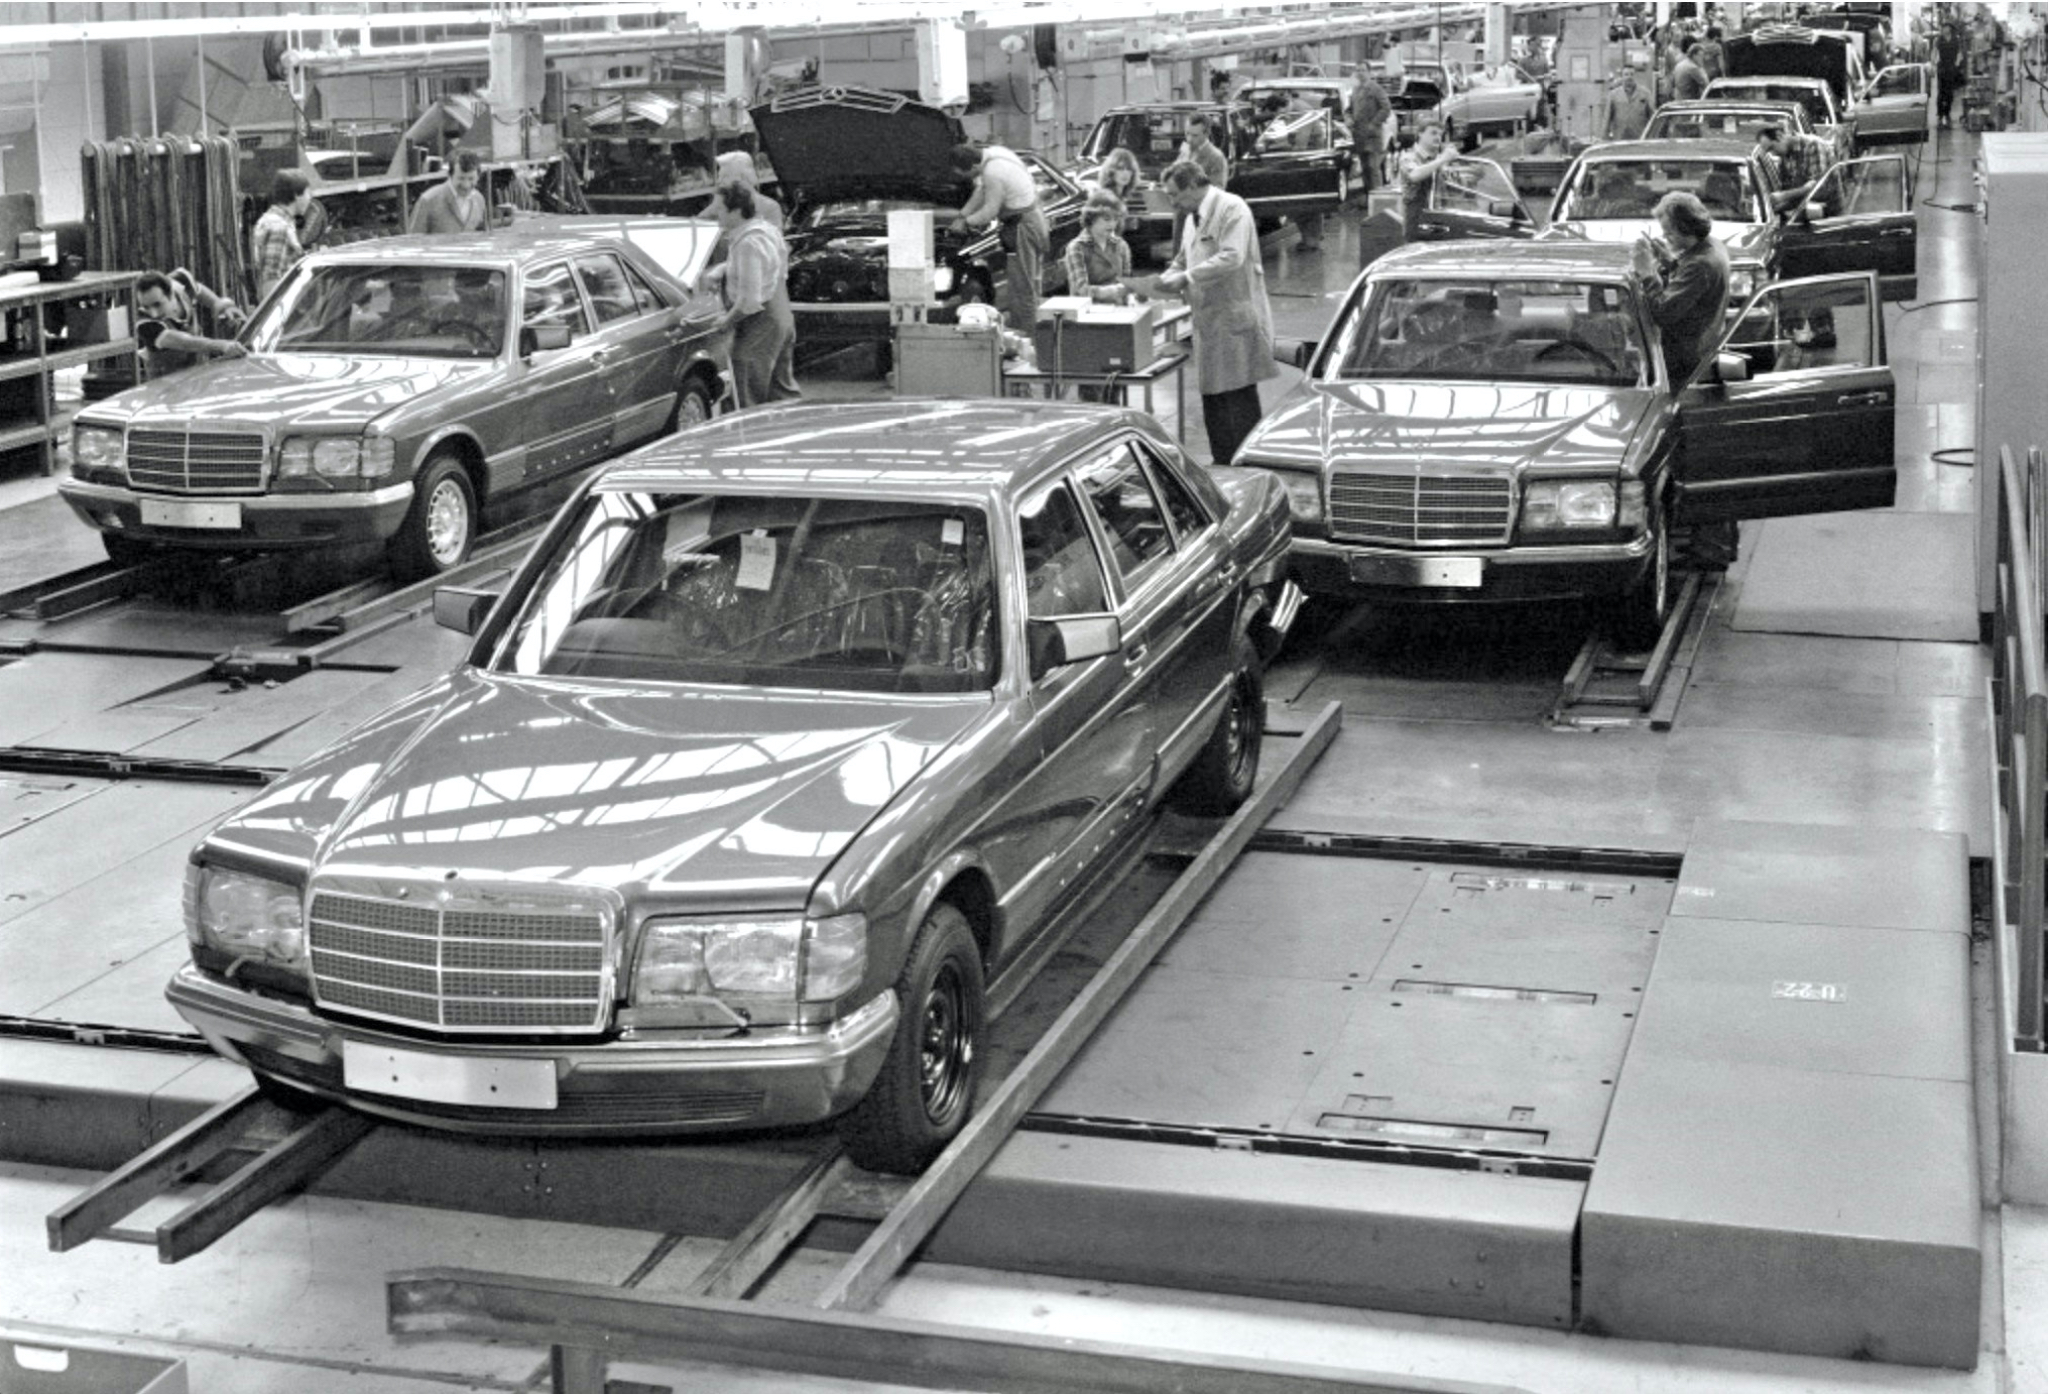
<point>1496,423</point>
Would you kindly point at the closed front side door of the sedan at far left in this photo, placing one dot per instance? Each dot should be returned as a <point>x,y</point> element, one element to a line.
<point>568,404</point>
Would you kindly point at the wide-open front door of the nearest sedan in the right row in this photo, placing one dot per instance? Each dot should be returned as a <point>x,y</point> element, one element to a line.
<point>1811,429</point>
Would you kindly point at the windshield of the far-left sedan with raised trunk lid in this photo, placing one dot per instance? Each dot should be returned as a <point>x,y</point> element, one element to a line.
<point>415,312</point>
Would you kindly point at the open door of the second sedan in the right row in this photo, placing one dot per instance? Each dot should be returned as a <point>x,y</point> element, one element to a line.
<point>1859,218</point>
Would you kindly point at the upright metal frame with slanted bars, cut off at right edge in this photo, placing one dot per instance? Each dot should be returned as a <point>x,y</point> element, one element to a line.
<point>2020,713</point>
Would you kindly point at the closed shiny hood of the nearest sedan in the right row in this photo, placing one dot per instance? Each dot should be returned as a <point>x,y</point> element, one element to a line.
<point>1480,427</point>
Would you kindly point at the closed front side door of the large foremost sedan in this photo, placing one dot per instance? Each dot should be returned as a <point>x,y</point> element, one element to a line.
<point>1091,722</point>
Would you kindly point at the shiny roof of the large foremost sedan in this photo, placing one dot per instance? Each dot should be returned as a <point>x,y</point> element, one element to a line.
<point>968,449</point>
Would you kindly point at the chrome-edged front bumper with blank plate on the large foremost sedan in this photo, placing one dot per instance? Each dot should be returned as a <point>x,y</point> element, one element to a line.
<point>640,1086</point>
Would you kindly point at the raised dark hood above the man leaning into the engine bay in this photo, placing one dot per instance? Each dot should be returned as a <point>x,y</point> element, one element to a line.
<point>828,148</point>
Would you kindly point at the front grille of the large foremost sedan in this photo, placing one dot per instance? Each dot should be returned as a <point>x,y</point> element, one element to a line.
<point>460,963</point>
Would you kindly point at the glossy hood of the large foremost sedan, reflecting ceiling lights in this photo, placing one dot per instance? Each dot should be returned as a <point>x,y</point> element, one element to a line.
<point>742,797</point>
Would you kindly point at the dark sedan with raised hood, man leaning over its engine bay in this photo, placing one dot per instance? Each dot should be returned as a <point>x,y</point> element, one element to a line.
<point>851,157</point>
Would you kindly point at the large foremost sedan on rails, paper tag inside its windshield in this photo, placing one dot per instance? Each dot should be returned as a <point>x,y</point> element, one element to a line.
<point>785,746</point>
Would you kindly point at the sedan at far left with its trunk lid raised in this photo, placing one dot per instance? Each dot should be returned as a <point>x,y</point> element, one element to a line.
<point>390,390</point>
